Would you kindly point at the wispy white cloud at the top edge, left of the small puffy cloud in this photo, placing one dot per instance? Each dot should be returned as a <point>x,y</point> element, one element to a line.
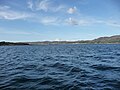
<point>45,5</point>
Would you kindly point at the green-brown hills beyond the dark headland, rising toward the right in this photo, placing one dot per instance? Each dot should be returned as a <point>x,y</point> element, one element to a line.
<point>102,40</point>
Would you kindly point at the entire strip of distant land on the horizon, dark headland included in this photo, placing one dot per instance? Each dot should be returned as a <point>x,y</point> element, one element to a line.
<point>101,40</point>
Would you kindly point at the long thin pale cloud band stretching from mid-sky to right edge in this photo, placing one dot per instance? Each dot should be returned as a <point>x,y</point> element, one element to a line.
<point>77,21</point>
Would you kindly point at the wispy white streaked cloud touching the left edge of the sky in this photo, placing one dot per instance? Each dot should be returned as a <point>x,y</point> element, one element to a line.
<point>6,13</point>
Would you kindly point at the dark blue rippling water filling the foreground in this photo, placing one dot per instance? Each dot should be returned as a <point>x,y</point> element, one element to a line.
<point>60,67</point>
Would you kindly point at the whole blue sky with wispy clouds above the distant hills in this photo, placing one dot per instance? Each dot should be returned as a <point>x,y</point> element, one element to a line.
<point>43,20</point>
